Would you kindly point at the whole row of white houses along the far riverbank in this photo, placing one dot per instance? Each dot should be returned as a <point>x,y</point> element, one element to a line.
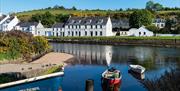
<point>76,26</point>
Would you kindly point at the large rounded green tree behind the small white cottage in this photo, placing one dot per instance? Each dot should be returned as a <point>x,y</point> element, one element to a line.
<point>140,17</point>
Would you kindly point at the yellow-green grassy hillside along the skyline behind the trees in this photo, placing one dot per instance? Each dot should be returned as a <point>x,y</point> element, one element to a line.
<point>26,15</point>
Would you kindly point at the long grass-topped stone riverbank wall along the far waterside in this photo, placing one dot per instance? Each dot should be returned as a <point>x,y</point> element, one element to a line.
<point>144,41</point>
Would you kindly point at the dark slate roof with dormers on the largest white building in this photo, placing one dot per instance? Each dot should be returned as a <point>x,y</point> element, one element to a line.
<point>87,21</point>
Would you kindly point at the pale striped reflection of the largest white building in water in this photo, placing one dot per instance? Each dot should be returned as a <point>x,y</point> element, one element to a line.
<point>87,54</point>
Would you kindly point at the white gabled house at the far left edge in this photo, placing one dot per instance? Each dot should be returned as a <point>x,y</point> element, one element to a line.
<point>7,22</point>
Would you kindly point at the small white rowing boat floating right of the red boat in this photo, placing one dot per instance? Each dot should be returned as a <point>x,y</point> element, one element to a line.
<point>137,68</point>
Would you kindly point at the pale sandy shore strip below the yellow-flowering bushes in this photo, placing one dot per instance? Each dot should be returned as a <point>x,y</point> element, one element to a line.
<point>49,60</point>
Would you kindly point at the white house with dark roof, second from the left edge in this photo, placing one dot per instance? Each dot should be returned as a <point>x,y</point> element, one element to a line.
<point>31,27</point>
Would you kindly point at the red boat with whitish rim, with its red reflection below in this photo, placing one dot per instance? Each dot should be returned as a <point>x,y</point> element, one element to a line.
<point>111,80</point>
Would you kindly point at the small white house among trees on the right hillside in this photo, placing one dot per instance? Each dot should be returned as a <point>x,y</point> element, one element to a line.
<point>160,23</point>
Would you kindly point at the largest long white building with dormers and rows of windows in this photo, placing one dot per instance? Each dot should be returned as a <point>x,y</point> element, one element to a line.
<point>89,26</point>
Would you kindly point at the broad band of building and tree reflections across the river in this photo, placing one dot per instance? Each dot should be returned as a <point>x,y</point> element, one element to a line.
<point>101,54</point>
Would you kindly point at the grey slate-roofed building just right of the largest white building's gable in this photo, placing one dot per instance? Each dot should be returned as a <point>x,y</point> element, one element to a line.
<point>120,23</point>
